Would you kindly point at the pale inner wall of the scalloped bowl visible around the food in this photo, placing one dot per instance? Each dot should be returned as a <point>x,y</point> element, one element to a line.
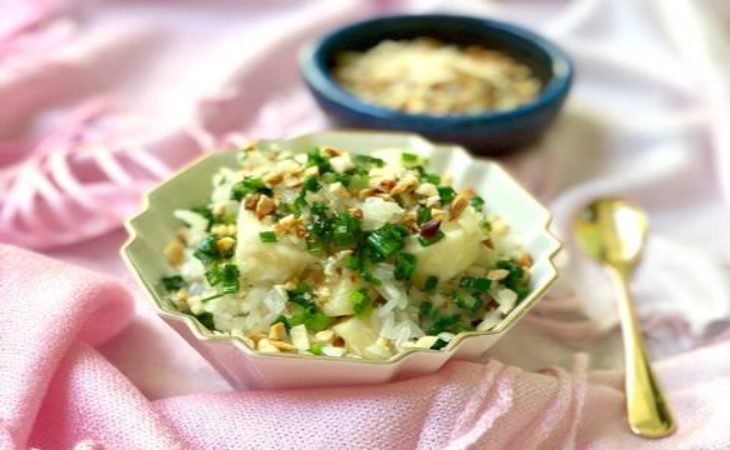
<point>155,225</point>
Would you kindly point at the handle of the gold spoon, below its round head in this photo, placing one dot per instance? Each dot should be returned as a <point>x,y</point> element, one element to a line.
<point>649,414</point>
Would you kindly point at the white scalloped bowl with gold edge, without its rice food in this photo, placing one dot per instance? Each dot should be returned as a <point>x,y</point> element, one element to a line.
<point>246,368</point>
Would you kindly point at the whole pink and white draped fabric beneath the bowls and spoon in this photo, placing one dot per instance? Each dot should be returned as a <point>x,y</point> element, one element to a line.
<point>101,99</point>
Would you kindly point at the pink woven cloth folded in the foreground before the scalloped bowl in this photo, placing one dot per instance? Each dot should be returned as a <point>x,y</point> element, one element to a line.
<point>58,391</point>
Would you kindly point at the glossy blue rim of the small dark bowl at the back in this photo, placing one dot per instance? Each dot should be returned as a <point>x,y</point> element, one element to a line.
<point>316,74</point>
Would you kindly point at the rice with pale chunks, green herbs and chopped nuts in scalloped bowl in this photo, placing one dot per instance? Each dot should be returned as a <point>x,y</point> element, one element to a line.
<point>344,255</point>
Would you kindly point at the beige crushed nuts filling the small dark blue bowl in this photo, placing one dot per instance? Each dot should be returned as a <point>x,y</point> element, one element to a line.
<point>427,76</point>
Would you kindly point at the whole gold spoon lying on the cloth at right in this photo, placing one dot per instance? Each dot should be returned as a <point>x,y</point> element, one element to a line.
<point>613,232</point>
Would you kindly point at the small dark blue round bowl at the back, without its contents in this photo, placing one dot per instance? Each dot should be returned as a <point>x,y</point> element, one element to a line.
<point>487,133</point>
